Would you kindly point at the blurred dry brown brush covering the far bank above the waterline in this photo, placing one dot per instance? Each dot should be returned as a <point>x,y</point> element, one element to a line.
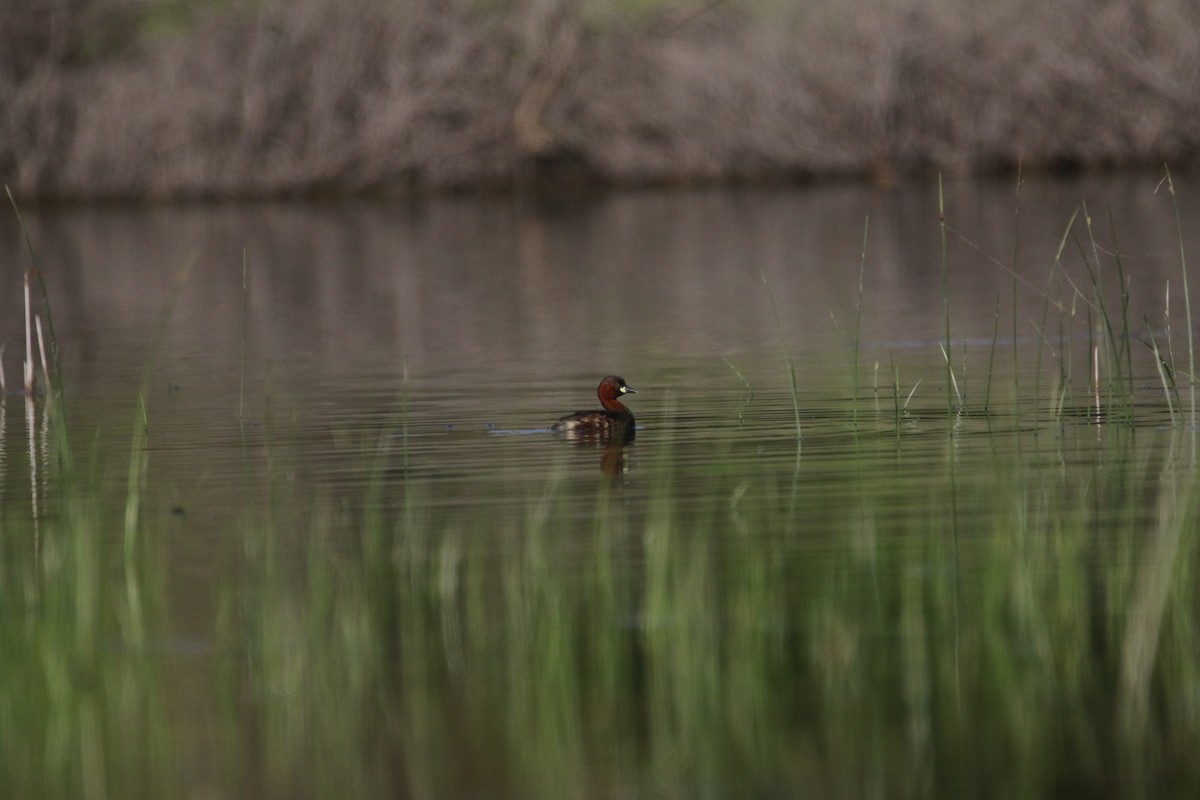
<point>151,99</point>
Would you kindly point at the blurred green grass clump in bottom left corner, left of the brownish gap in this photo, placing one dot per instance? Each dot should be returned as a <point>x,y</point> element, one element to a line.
<point>85,707</point>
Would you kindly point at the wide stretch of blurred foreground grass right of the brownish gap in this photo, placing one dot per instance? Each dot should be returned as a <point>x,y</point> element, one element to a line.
<point>1045,642</point>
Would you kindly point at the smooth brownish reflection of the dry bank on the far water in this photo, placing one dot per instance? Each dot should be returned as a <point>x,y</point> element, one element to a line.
<point>469,288</point>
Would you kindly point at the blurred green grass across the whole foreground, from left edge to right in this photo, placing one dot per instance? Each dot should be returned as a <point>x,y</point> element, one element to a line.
<point>765,639</point>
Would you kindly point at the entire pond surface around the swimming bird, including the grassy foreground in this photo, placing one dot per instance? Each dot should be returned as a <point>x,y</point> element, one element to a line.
<point>362,564</point>
